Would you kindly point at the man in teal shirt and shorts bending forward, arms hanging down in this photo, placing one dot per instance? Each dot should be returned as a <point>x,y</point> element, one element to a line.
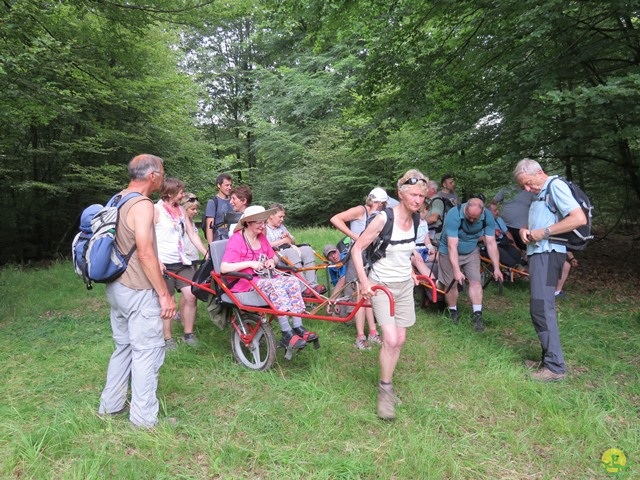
<point>460,256</point>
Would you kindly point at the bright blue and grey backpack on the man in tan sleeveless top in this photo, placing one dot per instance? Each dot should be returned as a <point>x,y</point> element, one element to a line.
<point>96,257</point>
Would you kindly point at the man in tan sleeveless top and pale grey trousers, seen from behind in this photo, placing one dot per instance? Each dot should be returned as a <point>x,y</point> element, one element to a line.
<point>139,302</point>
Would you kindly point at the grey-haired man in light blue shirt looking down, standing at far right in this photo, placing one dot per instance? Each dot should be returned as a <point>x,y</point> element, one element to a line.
<point>546,259</point>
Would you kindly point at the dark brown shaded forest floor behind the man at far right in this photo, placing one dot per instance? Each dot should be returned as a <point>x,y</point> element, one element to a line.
<point>609,263</point>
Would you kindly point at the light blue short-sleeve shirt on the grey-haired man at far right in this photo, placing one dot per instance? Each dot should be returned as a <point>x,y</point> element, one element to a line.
<point>541,216</point>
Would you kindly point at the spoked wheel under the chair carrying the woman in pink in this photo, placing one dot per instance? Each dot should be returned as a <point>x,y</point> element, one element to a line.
<point>260,353</point>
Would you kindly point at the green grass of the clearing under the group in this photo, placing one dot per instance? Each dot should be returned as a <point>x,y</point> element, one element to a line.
<point>469,411</point>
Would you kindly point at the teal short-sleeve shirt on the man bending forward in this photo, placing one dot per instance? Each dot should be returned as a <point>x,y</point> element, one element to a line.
<point>457,226</point>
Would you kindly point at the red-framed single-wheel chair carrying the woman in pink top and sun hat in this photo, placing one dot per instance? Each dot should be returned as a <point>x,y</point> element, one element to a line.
<point>250,314</point>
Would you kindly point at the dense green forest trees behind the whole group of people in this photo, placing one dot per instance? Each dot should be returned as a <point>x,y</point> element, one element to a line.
<point>310,102</point>
